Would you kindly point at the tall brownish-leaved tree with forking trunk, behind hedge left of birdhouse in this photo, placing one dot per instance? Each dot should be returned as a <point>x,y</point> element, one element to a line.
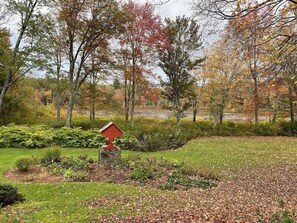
<point>86,26</point>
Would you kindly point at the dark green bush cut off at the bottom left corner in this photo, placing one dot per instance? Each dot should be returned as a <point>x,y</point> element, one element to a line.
<point>9,195</point>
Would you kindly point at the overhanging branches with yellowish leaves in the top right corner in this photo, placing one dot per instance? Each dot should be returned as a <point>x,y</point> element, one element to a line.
<point>277,15</point>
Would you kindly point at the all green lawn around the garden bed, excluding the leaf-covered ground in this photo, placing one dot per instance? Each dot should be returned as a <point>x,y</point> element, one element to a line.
<point>62,202</point>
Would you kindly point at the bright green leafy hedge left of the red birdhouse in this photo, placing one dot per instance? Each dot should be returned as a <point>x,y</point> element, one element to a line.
<point>42,136</point>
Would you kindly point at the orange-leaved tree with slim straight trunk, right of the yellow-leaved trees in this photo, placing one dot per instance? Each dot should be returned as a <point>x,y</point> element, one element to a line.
<point>257,64</point>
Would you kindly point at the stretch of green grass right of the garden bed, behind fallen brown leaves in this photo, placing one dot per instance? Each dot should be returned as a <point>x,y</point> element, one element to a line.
<point>222,154</point>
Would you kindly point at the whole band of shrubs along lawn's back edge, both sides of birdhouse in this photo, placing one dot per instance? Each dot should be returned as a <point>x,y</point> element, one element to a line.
<point>147,134</point>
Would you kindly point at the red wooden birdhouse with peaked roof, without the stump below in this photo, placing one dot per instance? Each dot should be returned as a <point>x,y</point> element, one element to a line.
<point>110,131</point>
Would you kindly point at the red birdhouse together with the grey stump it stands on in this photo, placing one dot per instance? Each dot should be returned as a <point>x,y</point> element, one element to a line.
<point>110,153</point>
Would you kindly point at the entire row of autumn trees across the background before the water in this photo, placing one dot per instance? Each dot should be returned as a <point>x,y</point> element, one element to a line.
<point>100,55</point>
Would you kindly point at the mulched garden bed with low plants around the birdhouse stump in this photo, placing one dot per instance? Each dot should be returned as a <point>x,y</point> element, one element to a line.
<point>148,172</point>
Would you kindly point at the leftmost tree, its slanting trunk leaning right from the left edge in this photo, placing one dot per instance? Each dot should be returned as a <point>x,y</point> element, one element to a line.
<point>31,30</point>
